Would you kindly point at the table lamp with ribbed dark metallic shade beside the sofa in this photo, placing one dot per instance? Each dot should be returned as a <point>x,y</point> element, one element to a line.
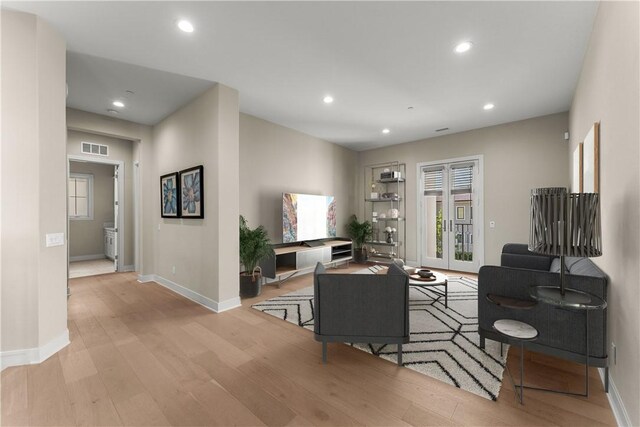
<point>565,224</point>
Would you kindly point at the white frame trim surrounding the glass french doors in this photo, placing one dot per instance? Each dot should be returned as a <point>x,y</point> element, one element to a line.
<point>479,213</point>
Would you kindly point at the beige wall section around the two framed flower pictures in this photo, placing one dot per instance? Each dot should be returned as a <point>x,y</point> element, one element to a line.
<point>203,251</point>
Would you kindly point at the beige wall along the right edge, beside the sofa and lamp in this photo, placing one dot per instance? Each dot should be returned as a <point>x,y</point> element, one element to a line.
<point>608,92</point>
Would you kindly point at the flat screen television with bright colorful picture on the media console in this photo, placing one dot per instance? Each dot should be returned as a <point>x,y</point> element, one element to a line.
<point>307,217</point>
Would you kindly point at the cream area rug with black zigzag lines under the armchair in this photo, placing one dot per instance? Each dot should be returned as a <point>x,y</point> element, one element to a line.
<point>443,343</point>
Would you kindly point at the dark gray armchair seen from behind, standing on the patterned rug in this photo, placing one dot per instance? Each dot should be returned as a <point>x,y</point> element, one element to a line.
<point>361,308</point>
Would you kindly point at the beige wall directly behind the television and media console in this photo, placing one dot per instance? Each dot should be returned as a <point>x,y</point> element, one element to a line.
<point>275,159</point>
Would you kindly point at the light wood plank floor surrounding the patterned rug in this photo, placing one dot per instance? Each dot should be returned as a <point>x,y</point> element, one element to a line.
<point>141,355</point>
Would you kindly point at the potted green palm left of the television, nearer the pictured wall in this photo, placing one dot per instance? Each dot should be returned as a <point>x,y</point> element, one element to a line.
<point>254,245</point>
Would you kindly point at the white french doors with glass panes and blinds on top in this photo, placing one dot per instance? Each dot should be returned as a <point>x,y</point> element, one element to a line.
<point>449,215</point>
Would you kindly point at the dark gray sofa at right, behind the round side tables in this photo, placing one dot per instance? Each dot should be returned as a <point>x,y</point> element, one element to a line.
<point>561,331</point>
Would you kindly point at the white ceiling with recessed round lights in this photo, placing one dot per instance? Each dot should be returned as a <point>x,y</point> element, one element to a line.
<point>375,58</point>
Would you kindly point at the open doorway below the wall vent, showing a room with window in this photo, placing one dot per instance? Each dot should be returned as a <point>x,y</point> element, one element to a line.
<point>94,216</point>
